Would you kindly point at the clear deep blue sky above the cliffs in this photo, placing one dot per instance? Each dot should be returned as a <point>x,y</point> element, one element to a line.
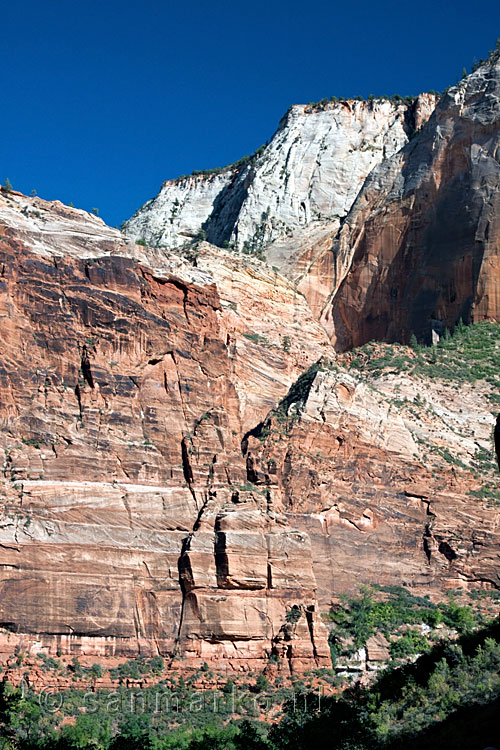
<point>103,100</point>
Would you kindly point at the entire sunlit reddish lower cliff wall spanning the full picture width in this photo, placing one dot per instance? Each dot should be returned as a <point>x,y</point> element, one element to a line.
<point>187,471</point>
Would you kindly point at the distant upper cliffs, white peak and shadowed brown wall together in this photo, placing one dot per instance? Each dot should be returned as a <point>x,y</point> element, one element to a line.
<point>385,236</point>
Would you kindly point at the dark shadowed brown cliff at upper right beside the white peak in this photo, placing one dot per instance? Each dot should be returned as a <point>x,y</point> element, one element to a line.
<point>420,247</point>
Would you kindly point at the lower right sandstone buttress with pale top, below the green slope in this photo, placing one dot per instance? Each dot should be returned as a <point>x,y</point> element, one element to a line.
<point>358,465</point>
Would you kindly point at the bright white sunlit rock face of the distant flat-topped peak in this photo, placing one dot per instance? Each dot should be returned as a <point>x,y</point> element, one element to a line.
<point>313,169</point>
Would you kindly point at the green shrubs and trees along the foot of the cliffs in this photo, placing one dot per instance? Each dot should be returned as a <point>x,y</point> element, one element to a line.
<point>446,698</point>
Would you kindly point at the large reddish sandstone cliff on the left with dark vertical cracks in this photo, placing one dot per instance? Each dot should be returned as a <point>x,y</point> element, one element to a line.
<point>127,521</point>
